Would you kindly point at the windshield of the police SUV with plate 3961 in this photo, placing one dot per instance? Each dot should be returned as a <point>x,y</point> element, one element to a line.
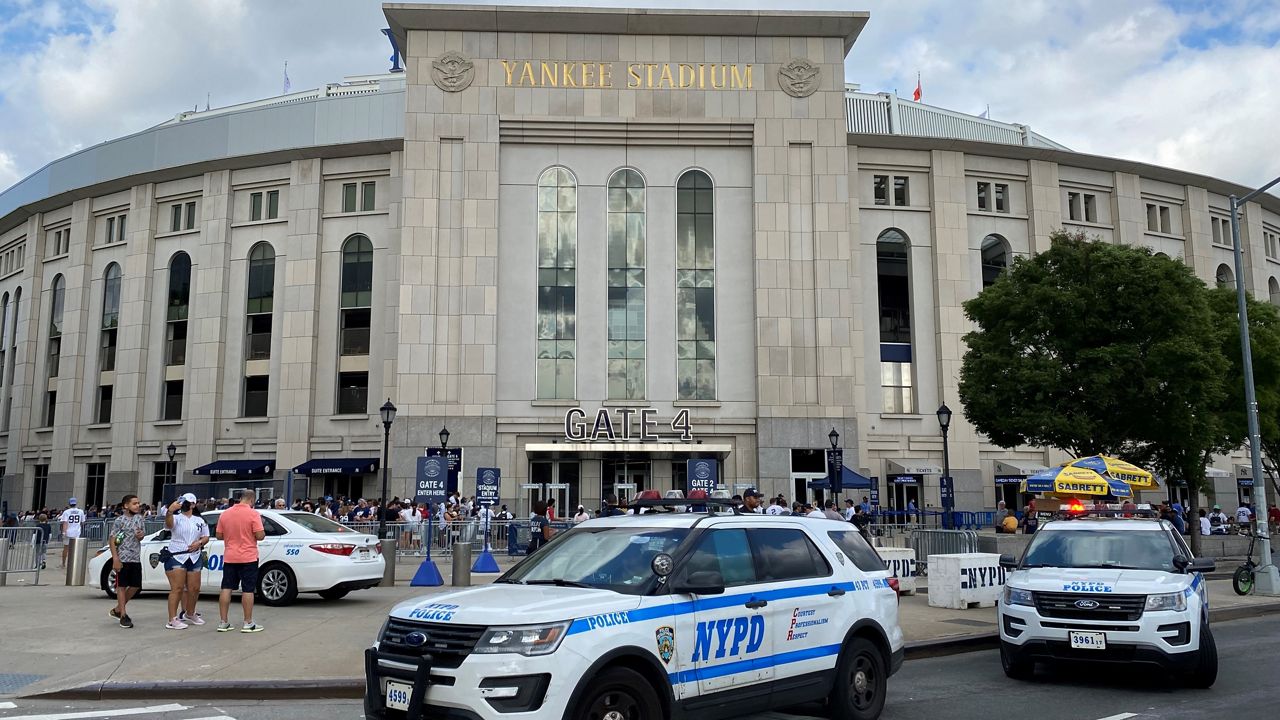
<point>1137,550</point>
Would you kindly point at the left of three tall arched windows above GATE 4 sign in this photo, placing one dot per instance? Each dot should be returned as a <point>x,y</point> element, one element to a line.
<point>557,284</point>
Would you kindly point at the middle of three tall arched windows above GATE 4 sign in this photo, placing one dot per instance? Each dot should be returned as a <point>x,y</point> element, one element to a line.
<point>627,227</point>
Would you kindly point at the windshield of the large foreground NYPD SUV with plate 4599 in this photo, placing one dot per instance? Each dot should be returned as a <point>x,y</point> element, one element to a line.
<point>615,559</point>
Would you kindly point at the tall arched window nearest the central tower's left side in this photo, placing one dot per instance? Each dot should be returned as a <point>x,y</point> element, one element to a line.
<point>355,322</point>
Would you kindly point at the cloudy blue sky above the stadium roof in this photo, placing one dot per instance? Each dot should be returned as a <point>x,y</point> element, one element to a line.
<point>1182,84</point>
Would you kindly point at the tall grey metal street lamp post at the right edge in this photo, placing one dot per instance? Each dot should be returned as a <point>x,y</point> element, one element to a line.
<point>1268,581</point>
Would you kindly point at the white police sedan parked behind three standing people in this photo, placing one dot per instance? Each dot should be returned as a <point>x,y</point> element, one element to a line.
<point>303,553</point>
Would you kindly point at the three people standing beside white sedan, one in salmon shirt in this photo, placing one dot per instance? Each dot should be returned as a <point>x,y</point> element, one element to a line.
<point>240,528</point>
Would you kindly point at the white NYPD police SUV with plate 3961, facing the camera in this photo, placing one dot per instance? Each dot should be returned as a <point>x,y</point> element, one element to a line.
<point>1108,590</point>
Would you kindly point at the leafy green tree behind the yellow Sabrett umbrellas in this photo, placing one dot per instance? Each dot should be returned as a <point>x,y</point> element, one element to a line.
<point>1096,348</point>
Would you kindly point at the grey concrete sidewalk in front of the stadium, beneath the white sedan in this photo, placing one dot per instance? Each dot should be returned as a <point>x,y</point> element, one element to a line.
<point>61,640</point>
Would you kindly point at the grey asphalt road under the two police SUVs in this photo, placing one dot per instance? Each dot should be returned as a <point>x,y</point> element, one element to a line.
<point>961,687</point>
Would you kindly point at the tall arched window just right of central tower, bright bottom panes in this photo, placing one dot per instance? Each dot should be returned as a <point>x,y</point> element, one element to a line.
<point>894,282</point>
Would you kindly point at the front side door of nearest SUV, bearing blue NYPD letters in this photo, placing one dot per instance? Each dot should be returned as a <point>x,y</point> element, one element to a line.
<point>724,642</point>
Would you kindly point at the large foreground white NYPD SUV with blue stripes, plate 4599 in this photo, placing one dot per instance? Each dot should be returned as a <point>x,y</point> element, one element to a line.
<point>653,617</point>
